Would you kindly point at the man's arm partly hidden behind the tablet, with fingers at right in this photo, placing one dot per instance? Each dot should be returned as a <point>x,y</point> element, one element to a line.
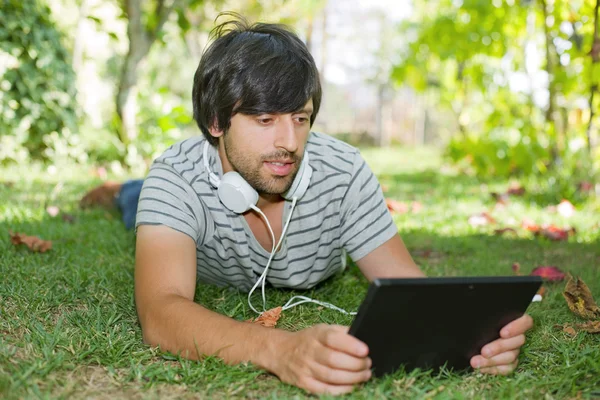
<point>392,260</point>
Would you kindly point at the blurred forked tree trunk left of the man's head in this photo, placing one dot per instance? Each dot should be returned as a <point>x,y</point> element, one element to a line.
<point>140,41</point>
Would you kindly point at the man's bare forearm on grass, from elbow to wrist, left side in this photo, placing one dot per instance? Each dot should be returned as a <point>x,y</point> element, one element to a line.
<point>181,326</point>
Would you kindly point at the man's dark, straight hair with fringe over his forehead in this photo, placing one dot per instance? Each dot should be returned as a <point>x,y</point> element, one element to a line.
<point>252,69</point>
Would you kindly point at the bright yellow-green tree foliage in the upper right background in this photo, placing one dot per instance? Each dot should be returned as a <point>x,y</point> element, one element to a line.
<point>470,53</point>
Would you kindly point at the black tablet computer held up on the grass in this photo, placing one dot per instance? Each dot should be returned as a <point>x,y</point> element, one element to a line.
<point>431,322</point>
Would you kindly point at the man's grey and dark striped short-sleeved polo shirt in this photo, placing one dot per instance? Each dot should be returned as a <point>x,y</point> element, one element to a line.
<point>342,213</point>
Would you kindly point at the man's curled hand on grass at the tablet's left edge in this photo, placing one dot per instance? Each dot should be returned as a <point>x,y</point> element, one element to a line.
<point>322,359</point>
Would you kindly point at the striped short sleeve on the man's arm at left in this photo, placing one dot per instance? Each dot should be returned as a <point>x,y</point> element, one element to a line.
<point>167,199</point>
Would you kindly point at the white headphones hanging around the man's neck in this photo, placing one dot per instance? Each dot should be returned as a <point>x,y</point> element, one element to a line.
<point>238,196</point>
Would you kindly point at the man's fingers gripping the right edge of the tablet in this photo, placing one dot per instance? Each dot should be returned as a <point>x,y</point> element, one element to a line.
<point>501,356</point>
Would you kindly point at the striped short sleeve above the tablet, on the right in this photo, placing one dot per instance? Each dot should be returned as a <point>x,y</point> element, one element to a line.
<point>366,221</point>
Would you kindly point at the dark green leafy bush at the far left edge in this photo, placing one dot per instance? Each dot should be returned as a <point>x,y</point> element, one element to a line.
<point>37,100</point>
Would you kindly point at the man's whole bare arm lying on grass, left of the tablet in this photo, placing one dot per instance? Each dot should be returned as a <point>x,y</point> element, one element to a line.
<point>319,359</point>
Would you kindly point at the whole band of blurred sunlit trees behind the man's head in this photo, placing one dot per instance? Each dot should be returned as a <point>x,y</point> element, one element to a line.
<point>505,87</point>
